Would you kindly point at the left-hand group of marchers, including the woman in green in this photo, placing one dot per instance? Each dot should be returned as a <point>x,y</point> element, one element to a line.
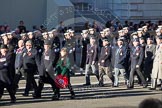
<point>34,53</point>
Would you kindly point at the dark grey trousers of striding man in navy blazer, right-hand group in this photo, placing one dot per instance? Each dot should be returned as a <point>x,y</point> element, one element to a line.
<point>139,73</point>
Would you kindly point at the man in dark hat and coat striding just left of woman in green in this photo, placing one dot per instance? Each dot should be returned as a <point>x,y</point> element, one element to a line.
<point>46,73</point>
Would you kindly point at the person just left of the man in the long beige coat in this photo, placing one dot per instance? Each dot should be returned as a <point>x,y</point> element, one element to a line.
<point>149,57</point>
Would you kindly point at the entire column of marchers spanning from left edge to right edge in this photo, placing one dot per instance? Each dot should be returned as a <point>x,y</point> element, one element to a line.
<point>36,51</point>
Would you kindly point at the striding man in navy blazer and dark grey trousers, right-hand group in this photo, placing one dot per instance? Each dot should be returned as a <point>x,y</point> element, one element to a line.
<point>137,56</point>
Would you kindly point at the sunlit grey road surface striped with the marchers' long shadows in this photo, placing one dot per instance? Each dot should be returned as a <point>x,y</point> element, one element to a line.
<point>91,96</point>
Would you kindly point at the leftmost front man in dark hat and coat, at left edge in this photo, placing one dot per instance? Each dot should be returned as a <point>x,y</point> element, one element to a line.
<point>5,74</point>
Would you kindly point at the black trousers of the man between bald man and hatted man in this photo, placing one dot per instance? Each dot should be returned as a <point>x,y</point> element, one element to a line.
<point>30,81</point>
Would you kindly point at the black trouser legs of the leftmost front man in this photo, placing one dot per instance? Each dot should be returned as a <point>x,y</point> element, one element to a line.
<point>9,89</point>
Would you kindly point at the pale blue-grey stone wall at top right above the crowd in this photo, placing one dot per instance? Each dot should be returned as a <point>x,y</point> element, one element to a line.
<point>133,9</point>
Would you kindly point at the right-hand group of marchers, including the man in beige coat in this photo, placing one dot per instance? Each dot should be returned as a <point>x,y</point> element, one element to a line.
<point>127,54</point>
